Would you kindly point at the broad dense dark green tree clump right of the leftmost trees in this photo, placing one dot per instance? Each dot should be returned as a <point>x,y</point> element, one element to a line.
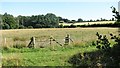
<point>39,21</point>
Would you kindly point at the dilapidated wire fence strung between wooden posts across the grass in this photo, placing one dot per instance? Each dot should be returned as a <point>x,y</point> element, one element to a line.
<point>38,42</point>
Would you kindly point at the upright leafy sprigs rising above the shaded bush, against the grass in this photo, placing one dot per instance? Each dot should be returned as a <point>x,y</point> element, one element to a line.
<point>104,44</point>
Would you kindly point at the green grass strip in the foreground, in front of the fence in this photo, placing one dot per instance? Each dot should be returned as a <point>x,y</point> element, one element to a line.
<point>42,56</point>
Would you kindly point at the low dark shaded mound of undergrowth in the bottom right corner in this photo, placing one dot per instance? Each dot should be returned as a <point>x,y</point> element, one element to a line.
<point>94,59</point>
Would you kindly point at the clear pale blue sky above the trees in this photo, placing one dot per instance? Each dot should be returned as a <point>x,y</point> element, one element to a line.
<point>69,9</point>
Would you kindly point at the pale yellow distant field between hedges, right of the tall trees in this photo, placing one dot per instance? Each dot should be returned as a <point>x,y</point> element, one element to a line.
<point>86,23</point>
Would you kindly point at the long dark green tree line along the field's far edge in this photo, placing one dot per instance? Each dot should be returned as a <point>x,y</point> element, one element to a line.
<point>49,20</point>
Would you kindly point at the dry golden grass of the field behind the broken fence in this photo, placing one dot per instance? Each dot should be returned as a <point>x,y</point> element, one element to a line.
<point>83,35</point>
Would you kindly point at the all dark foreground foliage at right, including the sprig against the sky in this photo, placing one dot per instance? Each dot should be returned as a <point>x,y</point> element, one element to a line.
<point>107,55</point>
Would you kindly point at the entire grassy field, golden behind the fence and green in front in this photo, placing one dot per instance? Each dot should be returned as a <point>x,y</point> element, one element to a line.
<point>54,55</point>
